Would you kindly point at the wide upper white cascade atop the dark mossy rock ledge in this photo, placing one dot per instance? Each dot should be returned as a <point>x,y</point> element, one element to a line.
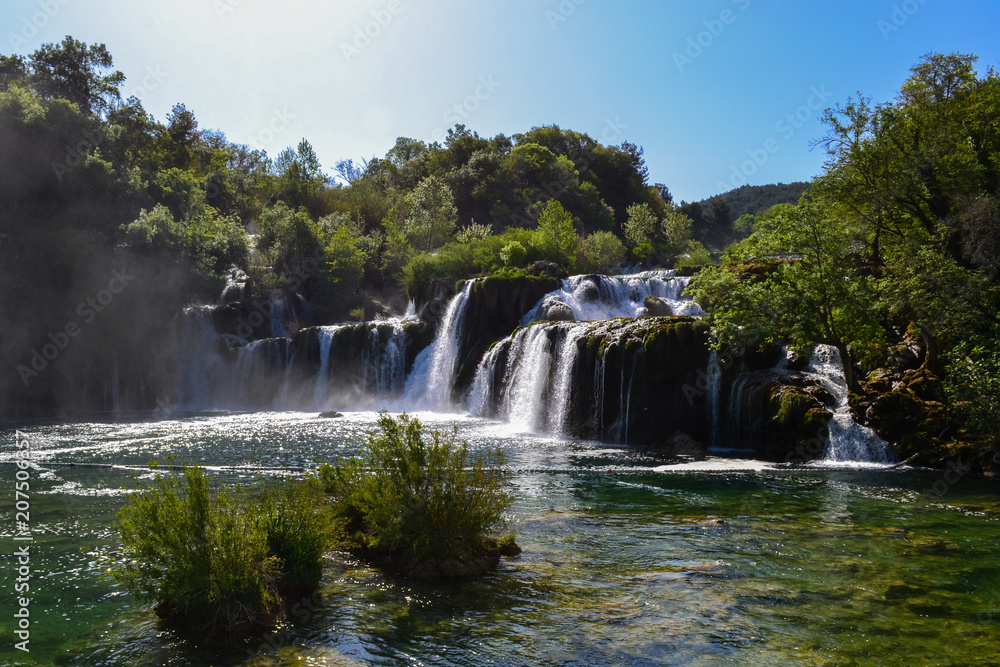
<point>597,297</point>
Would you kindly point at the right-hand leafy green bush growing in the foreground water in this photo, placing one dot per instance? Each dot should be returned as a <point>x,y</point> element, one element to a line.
<point>418,501</point>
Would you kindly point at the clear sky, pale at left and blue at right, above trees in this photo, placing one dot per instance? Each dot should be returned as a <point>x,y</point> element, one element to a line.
<point>719,93</point>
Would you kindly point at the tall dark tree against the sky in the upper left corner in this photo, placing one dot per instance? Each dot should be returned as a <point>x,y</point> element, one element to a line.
<point>76,72</point>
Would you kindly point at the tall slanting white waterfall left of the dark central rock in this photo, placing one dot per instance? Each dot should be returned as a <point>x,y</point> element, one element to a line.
<point>430,383</point>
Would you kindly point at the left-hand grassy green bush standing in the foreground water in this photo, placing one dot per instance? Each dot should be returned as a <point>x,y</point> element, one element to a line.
<point>220,562</point>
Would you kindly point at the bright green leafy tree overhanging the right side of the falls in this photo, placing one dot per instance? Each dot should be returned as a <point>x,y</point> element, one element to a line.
<point>795,280</point>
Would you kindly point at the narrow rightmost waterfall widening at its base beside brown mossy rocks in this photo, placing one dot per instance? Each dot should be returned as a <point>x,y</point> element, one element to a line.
<point>849,441</point>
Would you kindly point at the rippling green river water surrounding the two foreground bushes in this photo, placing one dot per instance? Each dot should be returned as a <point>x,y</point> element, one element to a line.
<point>629,558</point>
